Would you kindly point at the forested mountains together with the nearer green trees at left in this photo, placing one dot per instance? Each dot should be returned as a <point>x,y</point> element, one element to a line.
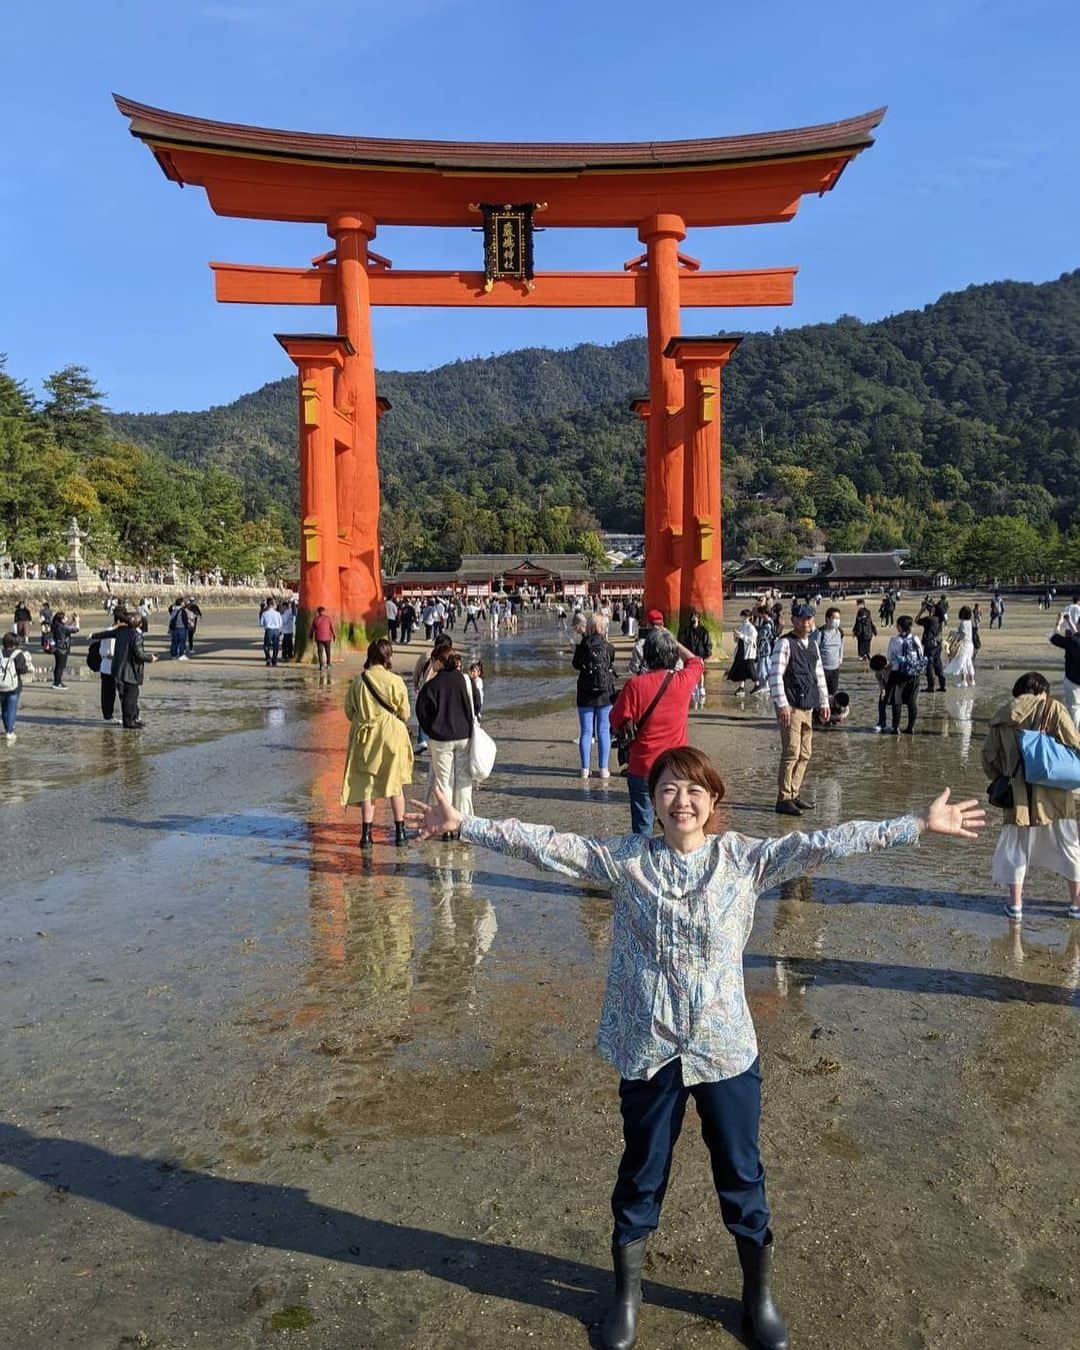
<point>954,430</point>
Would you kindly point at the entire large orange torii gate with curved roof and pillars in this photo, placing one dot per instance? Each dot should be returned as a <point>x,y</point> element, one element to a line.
<point>353,186</point>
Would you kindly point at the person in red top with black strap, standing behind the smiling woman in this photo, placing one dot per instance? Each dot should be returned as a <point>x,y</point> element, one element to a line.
<point>666,726</point>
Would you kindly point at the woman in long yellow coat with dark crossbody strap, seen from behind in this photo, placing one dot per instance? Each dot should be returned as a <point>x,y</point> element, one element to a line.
<point>380,757</point>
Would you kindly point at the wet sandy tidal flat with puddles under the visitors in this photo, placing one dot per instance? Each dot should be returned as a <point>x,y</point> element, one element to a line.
<point>257,1091</point>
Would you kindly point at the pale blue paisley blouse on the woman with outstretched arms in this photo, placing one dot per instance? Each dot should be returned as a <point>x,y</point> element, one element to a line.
<point>681,923</point>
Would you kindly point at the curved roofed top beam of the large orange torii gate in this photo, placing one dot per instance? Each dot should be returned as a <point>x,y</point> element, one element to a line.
<point>260,172</point>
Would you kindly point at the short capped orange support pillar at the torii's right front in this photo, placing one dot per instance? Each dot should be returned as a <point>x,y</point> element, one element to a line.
<point>701,362</point>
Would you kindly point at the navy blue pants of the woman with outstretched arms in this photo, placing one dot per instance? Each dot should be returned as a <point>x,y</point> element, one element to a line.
<point>653,1117</point>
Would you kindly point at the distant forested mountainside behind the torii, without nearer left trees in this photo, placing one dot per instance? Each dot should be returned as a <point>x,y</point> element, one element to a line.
<point>908,431</point>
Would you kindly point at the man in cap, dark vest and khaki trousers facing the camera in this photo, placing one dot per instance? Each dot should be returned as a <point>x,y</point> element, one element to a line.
<point>797,686</point>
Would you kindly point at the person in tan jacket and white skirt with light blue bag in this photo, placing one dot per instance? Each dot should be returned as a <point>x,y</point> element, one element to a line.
<point>1040,827</point>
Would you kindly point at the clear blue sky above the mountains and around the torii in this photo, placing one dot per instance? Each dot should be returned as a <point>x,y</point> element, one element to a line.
<point>105,263</point>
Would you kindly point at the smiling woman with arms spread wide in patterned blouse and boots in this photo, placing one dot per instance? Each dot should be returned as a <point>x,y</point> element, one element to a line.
<point>676,1021</point>
